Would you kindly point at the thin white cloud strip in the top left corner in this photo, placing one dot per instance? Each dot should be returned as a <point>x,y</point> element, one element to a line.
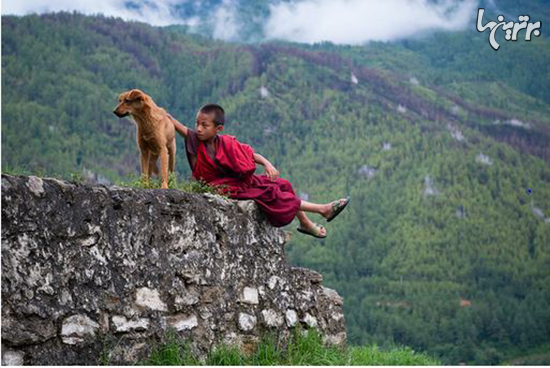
<point>157,12</point>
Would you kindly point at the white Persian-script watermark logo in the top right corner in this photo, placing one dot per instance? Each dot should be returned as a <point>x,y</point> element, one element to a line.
<point>512,28</point>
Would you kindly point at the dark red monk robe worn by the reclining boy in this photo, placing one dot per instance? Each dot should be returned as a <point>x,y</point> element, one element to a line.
<point>235,169</point>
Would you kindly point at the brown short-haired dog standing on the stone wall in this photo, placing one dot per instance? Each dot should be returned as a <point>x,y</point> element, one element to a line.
<point>156,135</point>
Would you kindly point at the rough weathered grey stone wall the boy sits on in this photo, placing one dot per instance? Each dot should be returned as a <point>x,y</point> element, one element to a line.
<point>84,266</point>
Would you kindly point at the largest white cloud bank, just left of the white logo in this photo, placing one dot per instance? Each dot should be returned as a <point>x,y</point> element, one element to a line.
<point>359,21</point>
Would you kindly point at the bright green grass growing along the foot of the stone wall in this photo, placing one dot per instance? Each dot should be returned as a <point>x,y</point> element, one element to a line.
<point>302,349</point>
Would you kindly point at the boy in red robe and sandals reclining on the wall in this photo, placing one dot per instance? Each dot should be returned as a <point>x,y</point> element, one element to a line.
<point>221,160</point>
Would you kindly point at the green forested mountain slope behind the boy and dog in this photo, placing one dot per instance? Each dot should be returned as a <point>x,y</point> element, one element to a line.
<point>442,143</point>
